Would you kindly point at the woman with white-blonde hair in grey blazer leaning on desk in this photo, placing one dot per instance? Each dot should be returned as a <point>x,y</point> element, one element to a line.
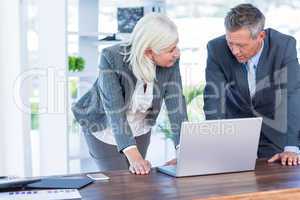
<point>118,112</point>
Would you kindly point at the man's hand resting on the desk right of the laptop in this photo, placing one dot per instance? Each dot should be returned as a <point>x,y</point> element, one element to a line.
<point>286,158</point>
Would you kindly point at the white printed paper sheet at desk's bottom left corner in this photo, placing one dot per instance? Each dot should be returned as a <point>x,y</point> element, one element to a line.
<point>41,195</point>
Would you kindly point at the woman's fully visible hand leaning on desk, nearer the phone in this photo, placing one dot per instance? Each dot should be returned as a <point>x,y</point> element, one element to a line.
<point>138,165</point>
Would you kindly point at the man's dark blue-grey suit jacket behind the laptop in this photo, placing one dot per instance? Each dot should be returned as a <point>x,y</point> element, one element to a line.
<point>277,97</point>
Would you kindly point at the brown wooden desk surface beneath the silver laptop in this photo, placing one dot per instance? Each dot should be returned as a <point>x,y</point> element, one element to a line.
<point>124,185</point>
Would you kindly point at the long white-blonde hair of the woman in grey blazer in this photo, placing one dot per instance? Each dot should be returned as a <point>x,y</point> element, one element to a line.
<point>155,31</point>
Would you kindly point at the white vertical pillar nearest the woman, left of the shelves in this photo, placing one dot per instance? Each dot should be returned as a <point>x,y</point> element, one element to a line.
<point>53,60</point>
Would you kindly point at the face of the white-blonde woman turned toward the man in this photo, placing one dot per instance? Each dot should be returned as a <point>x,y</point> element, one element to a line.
<point>166,57</point>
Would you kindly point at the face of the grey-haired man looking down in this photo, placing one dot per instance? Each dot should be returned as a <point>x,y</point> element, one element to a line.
<point>242,45</point>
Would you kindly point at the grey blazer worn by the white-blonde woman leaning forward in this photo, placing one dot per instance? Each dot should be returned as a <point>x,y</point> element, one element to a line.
<point>106,103</point>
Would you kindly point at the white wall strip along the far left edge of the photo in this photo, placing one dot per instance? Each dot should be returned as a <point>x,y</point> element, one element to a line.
<point>11,135</point>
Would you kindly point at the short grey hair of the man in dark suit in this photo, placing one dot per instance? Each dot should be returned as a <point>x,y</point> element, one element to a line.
<point>245,16</point>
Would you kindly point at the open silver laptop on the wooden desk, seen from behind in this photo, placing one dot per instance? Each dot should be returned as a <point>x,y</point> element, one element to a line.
<point>216,146</point>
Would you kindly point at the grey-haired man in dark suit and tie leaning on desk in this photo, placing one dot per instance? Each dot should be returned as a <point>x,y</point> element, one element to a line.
<point>254,72</point>
